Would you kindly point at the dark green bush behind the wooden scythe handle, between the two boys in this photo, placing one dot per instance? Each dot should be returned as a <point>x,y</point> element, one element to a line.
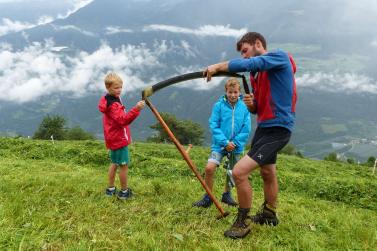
<point>186,131</point>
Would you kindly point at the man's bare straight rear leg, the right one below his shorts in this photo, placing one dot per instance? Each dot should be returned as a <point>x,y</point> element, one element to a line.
<point>270,184</point>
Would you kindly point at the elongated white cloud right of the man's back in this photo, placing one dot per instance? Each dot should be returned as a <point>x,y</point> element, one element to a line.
<point>338,82</point>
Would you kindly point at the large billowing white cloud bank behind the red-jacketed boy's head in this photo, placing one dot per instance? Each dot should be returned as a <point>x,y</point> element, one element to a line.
<point>44,69</point>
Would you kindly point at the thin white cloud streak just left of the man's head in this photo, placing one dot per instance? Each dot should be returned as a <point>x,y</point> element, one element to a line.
<point>206,30</point>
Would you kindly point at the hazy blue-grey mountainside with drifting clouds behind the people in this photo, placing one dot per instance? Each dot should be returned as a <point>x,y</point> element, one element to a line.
<point>332,43</point>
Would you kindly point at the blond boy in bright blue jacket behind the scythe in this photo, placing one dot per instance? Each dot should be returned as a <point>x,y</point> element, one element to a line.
<point>230,127</point>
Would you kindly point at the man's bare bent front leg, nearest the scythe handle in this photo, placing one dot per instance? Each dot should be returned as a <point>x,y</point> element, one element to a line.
<point>241,173</point>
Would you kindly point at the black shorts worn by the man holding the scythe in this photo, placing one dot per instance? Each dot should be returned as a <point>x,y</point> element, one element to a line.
<point>266,143</point>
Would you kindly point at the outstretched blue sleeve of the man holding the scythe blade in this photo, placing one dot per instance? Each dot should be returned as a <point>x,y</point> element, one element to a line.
<point>265,62</point>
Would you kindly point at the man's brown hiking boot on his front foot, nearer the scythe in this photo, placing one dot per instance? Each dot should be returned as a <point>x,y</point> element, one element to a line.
<point>241,227</point>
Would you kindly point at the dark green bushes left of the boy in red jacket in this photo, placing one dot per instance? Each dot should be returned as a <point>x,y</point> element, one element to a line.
<point>56,126</point>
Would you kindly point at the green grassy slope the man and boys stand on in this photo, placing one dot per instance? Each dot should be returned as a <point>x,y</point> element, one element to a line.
<point>51,198</point>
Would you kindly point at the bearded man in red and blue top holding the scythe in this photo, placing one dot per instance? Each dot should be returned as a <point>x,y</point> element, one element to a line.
<point>274,101</point>
